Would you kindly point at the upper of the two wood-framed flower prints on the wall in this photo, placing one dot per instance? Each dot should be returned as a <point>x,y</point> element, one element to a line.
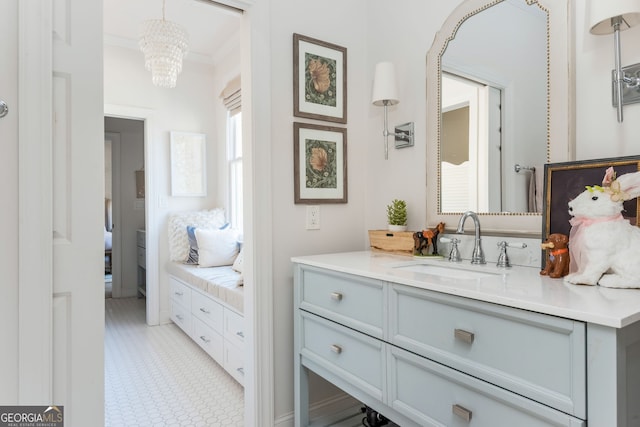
<point>319,80</point>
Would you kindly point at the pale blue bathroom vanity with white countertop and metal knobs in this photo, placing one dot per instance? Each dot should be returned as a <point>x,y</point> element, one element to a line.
<point>431,343</point>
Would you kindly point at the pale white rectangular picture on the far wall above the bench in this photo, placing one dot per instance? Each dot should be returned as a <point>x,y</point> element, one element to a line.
<point>188,164</point>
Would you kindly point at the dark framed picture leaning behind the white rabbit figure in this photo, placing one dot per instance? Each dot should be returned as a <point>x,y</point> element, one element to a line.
<point>565,181</point>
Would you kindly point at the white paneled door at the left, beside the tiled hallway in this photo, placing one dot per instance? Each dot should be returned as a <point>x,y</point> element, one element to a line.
<point>78,211</point>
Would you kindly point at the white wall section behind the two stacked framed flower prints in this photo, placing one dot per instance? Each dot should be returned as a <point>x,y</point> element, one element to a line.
<point>341,225</point>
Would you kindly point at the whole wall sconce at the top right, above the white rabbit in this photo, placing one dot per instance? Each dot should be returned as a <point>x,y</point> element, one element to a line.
<point>613,16</point>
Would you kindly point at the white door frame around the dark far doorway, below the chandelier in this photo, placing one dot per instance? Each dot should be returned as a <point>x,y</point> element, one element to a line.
<point>152,271</point>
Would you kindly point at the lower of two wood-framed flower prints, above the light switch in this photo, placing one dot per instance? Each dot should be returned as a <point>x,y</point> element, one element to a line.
<point>319,164</point>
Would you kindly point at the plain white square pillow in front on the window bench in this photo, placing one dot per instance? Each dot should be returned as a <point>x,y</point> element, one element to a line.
<point>216,247</point>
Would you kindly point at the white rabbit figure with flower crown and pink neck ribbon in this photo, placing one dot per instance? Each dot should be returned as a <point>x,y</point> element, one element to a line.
<point>604,247</point>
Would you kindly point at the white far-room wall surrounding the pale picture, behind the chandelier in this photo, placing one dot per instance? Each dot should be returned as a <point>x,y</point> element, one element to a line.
<point>190,107</point>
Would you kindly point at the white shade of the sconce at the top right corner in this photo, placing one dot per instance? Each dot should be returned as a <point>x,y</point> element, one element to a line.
<point>603,10</point>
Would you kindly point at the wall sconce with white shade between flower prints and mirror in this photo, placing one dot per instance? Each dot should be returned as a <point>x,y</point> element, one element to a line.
<point>385,93</point>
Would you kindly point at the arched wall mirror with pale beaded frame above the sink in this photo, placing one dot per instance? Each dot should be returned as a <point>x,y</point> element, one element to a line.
<point>499,99</point>
